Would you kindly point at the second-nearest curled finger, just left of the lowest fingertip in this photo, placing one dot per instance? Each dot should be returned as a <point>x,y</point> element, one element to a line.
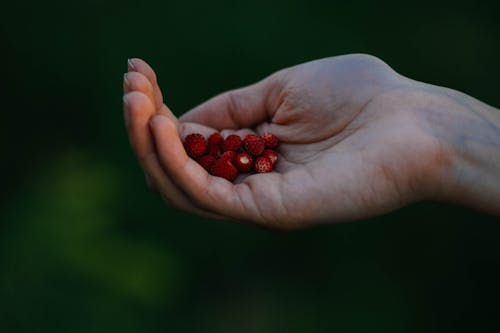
<point>138,109</point>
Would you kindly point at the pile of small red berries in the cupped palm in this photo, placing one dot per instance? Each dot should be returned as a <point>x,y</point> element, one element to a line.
<point>233,155</point>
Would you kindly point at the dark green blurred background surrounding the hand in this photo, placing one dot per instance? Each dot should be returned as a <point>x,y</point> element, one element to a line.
<point>85,247</point>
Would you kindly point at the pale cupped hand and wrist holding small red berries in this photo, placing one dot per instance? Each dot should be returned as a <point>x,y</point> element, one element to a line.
<point>357,140</point>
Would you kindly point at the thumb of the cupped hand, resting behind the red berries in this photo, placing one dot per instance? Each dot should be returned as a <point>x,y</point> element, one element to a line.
<point>239,108</point>
